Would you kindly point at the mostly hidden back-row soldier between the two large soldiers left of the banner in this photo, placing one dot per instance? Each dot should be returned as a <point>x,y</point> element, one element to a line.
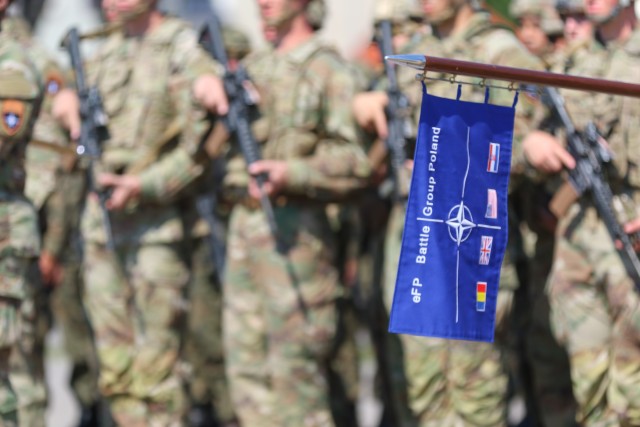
<point>207,387</point>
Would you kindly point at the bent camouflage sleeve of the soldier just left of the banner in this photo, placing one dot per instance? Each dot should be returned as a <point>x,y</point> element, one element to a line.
<point>339,165</point>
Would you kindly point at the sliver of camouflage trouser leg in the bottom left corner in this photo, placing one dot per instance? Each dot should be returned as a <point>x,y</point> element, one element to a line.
<point>9,337</point>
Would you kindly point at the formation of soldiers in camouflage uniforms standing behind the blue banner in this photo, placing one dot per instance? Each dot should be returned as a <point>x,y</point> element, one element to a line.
<point>162,331</point>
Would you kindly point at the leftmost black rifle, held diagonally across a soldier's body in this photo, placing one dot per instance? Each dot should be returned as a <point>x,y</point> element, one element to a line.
<point>93,131</point>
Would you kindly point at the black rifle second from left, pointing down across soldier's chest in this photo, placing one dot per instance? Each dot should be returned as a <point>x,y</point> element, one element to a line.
<point>241,103</point>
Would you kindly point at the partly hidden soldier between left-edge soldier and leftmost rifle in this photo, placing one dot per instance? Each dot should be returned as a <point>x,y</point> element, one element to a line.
<point>56,192</point>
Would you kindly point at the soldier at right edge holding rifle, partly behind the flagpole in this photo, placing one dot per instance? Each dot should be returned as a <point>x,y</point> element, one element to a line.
<point>594,309</point>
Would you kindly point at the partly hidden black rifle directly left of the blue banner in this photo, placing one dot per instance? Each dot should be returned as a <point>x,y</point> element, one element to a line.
<point>396,109</point>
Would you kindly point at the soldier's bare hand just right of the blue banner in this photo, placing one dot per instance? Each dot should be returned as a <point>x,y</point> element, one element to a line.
<point>544,152</point>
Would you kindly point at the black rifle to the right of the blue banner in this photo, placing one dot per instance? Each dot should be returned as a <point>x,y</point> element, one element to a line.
<point>588,176</point>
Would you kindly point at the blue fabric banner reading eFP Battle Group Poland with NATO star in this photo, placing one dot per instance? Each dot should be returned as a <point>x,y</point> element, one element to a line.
<point>455,230</point>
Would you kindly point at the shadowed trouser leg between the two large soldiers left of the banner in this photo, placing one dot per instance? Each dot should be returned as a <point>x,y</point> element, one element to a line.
<point>203,348</point>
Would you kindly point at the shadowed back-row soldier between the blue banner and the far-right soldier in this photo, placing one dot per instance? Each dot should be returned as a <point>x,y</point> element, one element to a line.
<point>542,362</point>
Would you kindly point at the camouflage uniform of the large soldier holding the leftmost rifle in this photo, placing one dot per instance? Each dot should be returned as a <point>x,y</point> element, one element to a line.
<point>135,297</point>
